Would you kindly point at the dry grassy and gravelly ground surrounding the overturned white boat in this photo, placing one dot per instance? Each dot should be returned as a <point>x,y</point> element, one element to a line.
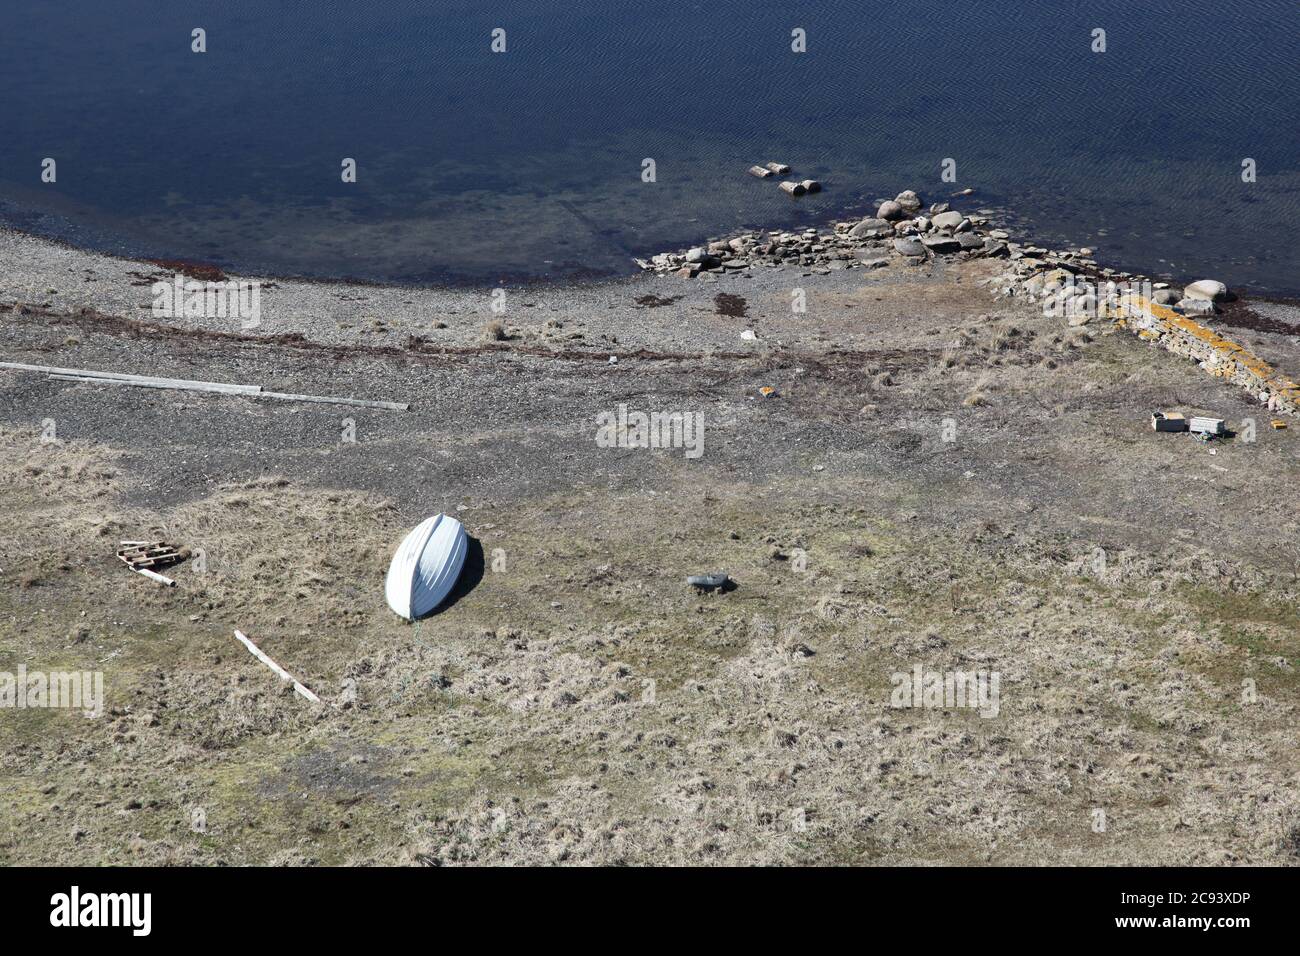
<point>939,481</point>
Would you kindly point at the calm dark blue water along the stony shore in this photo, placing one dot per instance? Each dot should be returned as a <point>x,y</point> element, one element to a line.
<point>479,166</point>
